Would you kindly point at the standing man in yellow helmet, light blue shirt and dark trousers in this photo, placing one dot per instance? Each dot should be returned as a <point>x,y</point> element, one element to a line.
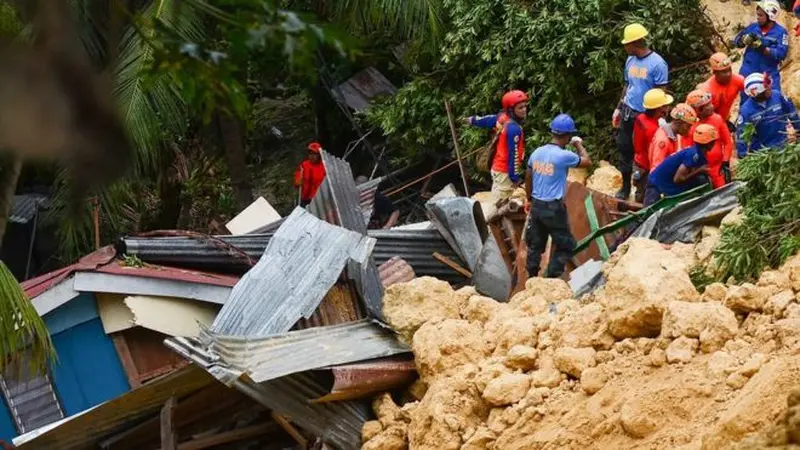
<point>644,70</point>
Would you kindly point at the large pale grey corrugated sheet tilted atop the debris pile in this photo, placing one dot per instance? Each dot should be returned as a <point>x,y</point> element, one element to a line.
<point>301,263</point>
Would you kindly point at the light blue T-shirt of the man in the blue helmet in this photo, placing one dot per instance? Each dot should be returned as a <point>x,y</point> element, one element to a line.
<point>549,165</point>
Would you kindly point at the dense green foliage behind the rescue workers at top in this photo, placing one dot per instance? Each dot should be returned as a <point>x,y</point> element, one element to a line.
<point>565,53</point>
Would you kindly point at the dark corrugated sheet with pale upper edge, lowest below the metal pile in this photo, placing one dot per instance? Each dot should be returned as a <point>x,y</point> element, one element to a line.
<point>339,424</point>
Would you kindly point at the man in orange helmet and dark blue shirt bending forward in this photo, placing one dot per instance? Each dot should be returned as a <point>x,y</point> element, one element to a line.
<point>683,170</point>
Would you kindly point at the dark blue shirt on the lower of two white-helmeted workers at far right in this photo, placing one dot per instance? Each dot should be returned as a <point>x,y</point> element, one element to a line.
<point>769,119</point>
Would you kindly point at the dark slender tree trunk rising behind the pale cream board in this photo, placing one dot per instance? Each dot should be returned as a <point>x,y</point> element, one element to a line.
<point>232,131</point>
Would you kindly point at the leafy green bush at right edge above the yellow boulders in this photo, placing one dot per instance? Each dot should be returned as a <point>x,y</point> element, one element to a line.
<point>770,231</point>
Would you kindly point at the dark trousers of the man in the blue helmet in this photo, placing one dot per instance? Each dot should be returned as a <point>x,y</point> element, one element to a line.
<point>548,219</point>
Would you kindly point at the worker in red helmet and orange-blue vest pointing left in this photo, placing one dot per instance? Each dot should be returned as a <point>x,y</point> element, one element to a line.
<point>508,155</point>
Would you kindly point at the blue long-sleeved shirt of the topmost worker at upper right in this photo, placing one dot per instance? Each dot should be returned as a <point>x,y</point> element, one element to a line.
<point>776,40</point>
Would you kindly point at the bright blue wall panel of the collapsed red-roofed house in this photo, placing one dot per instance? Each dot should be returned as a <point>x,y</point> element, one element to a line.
<point>88,371</point>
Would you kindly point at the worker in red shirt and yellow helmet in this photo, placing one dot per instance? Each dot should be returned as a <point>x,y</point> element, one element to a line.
<point>656,104</point>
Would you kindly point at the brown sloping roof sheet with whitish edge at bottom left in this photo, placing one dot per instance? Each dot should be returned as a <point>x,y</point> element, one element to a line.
<point>82,431</point>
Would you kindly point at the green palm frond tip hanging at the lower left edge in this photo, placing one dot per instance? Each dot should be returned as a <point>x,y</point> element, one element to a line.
<point>21,326</point>
